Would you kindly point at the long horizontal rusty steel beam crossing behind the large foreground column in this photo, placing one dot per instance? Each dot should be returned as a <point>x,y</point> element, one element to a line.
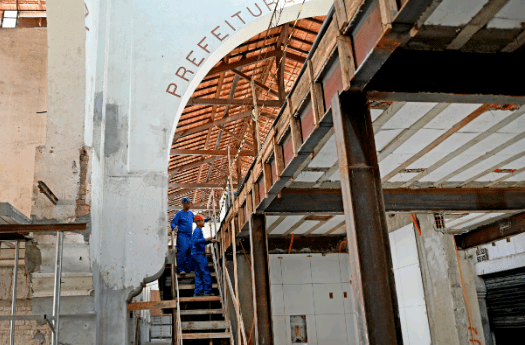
<point>303,201</point>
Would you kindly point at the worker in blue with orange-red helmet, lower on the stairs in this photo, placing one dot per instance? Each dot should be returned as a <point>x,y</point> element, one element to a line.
<point>198,253</point>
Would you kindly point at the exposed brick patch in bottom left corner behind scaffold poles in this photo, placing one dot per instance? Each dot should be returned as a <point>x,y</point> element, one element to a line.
<point>26,332</point>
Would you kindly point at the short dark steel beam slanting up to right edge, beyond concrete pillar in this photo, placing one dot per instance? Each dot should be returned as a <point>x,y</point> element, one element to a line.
<point>492,232</point>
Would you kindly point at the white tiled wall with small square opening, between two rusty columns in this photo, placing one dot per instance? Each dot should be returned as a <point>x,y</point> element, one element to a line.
<point>301,285</point>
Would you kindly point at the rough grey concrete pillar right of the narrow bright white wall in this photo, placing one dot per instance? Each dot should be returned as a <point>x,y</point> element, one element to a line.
<point>448,314</point>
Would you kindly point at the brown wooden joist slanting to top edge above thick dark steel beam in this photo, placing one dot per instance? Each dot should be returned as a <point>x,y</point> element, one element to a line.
<point>488,11</point>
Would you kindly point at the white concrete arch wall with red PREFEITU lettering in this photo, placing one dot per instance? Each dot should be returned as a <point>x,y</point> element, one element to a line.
<point>133,52</point>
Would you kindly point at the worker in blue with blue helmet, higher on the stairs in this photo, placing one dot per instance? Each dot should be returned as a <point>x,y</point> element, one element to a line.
<point>183,221</point>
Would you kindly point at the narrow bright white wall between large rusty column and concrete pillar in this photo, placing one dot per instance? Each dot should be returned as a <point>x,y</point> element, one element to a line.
<point>409,287</point>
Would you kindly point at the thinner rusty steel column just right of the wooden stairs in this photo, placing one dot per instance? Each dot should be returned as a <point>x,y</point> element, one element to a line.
<point>261,280</point>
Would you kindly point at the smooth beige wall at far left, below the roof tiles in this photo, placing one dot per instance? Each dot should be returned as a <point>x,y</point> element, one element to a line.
<point>23,94</point>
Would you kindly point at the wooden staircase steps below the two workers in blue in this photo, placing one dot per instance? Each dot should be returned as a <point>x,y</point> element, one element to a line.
<point>200,320</point>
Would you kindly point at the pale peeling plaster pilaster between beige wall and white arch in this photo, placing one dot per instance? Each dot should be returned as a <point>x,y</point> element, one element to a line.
<point>58,162</point>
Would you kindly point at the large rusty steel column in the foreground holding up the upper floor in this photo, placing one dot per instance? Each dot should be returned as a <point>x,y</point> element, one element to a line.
<point>366,227</point>
